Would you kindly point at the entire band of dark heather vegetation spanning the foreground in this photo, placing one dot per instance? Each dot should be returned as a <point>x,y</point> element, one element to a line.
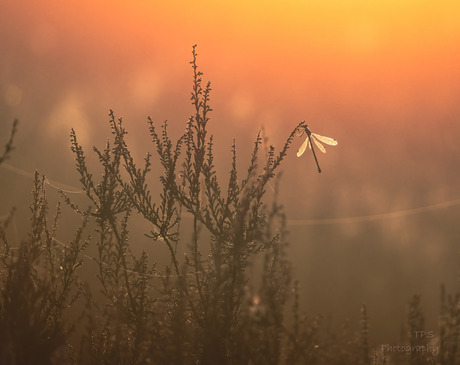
<point>202,307</point>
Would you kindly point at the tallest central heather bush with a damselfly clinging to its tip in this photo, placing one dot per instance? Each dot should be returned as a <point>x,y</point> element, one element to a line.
<point>200,308</point>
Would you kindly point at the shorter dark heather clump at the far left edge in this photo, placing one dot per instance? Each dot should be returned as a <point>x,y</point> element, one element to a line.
<point>38,284</point>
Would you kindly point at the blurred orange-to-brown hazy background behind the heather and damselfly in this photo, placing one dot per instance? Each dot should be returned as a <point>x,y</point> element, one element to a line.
<point>386,89</point>
